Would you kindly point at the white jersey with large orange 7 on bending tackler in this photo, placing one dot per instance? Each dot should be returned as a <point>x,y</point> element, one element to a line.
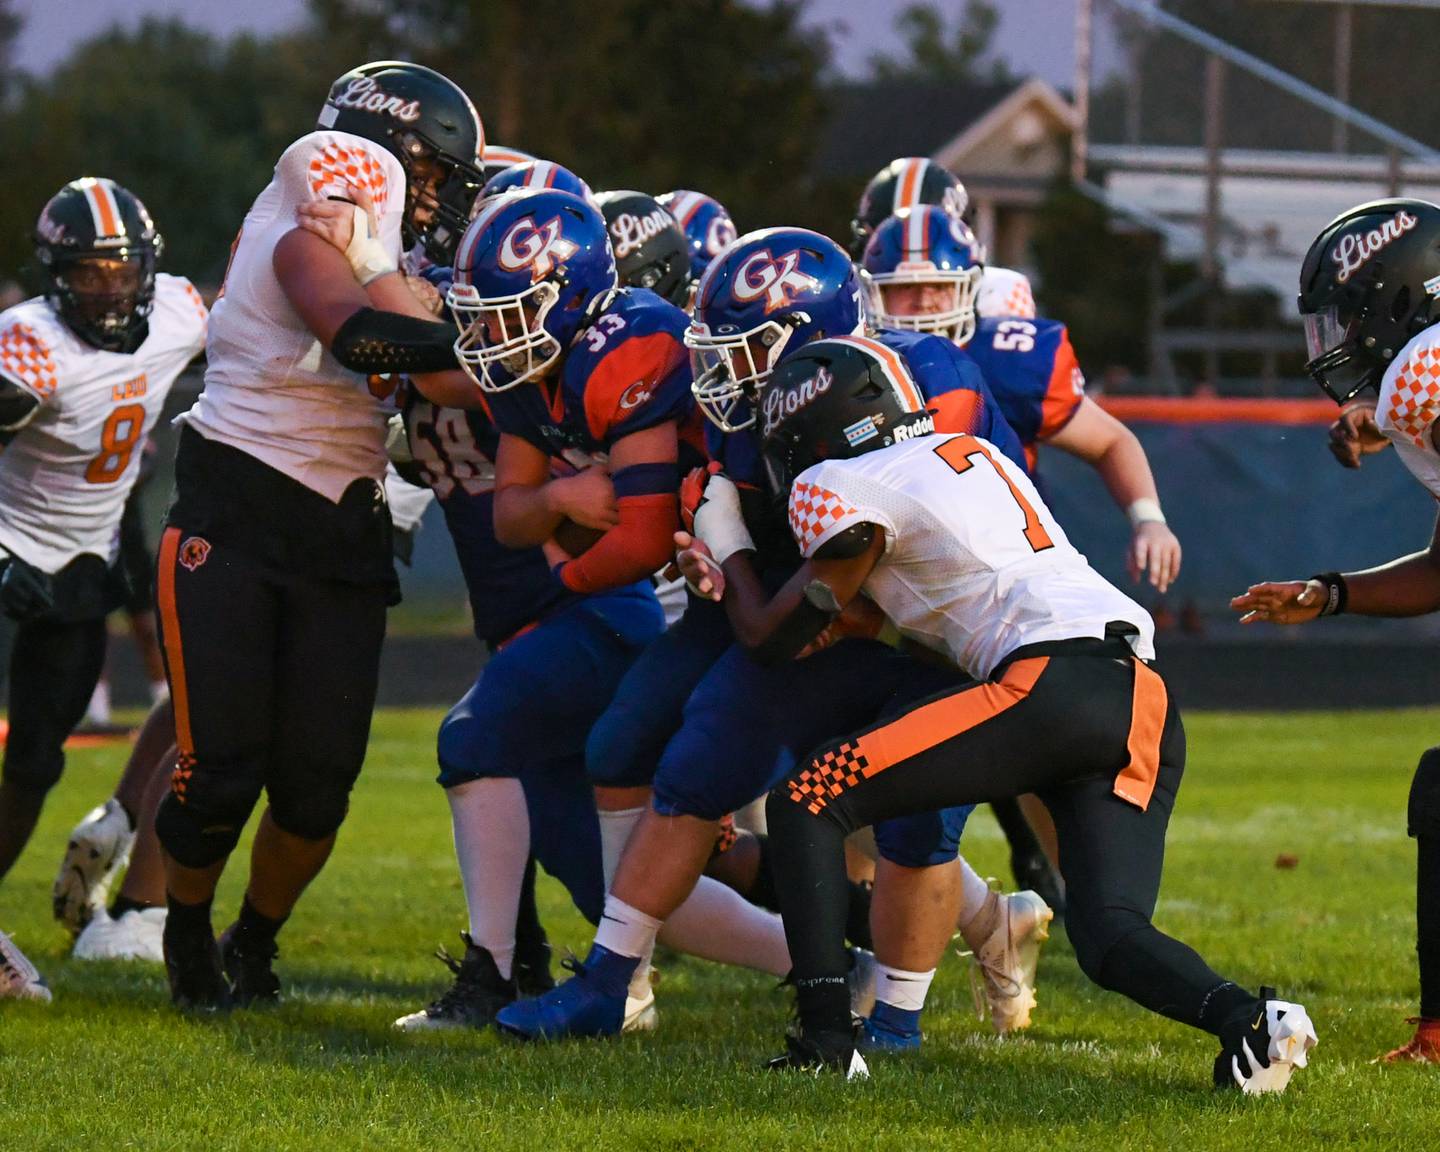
<point>974,565</point>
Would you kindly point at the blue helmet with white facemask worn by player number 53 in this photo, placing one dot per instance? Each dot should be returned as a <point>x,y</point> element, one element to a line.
<point>925,246</point>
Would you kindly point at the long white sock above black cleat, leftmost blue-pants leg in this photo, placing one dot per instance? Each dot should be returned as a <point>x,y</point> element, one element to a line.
<point>492,846</point>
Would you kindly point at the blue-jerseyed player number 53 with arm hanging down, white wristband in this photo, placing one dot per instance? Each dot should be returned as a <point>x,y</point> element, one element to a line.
<point>927,274</point>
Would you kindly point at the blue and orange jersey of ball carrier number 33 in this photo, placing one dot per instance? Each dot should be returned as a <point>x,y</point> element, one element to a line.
<point>627,371</point>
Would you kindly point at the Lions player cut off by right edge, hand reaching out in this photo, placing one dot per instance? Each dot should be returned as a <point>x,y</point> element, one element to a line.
<point>1369,294</point>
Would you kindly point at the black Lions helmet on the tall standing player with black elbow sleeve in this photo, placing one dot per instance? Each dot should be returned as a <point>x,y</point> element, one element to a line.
<point>428,123</point>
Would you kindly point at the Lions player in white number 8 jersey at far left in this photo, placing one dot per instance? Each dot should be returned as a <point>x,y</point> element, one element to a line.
<point>84,375</point>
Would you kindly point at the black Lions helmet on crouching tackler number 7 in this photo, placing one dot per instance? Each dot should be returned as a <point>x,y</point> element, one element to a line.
<point>836,400</point>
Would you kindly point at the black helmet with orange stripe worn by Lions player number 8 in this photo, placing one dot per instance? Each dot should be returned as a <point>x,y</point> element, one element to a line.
<point>99,248</point>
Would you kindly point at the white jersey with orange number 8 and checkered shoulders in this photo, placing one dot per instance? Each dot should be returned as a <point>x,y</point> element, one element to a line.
<point>66,477</point>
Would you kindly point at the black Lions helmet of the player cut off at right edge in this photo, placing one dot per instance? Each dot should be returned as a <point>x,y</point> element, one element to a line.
<point>1369,284</point>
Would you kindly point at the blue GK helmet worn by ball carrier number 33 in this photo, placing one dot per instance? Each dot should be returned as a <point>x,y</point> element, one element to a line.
<point>526,273</point>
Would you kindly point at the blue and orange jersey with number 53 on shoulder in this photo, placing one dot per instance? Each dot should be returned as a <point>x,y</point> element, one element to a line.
<point>1033,372</point>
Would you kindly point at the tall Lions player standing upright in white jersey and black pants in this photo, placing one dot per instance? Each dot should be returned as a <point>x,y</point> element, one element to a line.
<point>276,567</point>
